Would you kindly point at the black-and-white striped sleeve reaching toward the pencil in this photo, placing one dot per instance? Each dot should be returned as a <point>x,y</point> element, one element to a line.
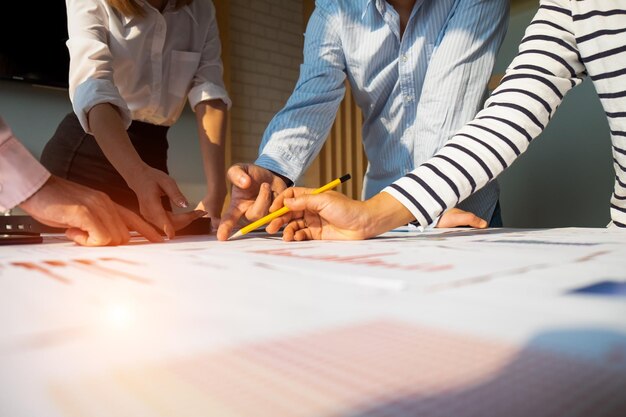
<point>547,66</point>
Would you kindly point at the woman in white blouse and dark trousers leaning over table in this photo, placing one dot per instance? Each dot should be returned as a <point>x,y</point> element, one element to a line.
<point>133,66</point>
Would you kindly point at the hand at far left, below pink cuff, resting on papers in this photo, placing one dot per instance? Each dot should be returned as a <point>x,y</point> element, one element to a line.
<point>91,217</point>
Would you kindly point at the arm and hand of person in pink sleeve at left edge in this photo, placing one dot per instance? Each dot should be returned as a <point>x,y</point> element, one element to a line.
<point>91,217</point>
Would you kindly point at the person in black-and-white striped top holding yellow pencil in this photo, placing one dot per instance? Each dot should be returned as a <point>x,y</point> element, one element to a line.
<point>565,42</point>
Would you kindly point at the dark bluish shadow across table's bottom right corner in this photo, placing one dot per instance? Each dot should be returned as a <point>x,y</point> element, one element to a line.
<point>541,380</point>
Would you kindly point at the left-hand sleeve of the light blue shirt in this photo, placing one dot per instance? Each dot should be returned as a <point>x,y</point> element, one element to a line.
<point>297,133</point>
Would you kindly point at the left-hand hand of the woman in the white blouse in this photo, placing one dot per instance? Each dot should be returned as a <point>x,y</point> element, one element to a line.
<point>149,184</point>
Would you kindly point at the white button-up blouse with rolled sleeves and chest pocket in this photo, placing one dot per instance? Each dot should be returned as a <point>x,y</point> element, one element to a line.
<point>146,66</point>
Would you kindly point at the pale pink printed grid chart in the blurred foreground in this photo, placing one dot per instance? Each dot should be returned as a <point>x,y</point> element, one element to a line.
<point>373,369</point>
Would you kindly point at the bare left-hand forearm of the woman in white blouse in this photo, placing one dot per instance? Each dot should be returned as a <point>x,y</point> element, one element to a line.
<point>110,134</point>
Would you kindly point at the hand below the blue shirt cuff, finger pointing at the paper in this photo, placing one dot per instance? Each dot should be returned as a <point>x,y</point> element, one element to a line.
<point>252,193</point>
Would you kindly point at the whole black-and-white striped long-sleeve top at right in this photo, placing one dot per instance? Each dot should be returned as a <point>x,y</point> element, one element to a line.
<point>566,41</point>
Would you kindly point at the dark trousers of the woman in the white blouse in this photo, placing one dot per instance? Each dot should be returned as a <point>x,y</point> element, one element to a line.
<point>76,156</point>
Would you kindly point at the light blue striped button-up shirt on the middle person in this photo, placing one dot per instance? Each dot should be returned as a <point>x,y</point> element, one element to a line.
<point>415,90</point>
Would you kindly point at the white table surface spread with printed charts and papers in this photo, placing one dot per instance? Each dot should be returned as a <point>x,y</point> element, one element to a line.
<point>450,322</point>
